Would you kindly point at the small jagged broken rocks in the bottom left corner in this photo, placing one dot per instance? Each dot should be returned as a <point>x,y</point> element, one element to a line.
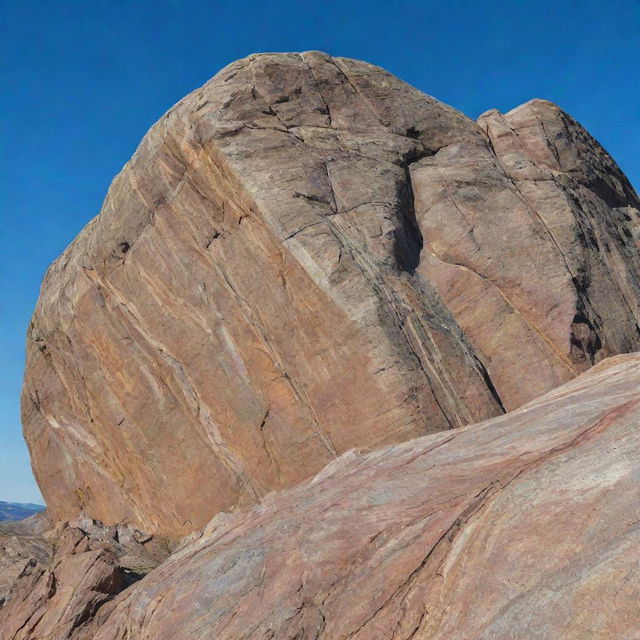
<point>67,574</point>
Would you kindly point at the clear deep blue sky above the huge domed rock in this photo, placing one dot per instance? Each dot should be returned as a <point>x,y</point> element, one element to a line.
<point>83,80</point>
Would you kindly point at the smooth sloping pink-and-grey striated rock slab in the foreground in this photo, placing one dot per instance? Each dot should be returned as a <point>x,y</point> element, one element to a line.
<point>525,526</point>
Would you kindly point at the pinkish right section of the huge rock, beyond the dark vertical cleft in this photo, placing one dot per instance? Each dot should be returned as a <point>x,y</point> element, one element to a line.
<point>533,245</point>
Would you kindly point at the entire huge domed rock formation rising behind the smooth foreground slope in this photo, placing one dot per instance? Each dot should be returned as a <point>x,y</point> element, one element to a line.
<point>307,255</point>
